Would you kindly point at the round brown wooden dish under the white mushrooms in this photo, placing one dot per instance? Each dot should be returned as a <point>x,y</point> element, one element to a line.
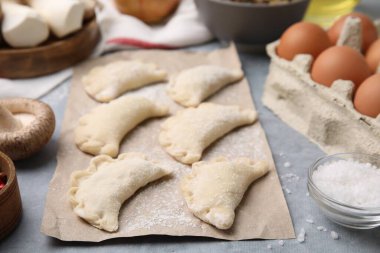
<point>50,57</point>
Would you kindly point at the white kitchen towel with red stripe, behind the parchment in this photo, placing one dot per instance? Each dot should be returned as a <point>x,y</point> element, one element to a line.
<point>119,32</point>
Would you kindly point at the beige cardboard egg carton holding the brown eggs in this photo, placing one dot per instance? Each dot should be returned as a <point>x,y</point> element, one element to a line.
<point>325,115</point>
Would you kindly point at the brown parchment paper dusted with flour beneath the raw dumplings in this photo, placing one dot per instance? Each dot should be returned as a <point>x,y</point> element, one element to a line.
<point>159,207</point>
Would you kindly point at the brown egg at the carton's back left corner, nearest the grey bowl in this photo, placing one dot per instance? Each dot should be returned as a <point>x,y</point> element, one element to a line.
<point>303,38</point>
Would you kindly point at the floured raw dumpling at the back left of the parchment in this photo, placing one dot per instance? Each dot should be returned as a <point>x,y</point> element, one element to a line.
<point>107,82</point>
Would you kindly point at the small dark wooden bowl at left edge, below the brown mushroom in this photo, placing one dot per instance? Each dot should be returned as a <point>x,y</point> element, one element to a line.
<point>10,200</point>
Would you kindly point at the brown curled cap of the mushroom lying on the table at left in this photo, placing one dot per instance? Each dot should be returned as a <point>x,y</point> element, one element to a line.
<point>24,142</point>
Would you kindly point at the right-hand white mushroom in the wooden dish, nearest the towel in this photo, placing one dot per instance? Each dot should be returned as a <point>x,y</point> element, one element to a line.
<point>63,16</point>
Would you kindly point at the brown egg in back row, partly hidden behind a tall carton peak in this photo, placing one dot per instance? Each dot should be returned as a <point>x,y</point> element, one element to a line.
<point>369,34</point>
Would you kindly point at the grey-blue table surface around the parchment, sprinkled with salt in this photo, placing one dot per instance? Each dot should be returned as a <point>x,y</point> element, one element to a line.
<point>288,146</point>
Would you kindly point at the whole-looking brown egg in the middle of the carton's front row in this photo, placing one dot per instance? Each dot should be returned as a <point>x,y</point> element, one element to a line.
<point>340,62</point>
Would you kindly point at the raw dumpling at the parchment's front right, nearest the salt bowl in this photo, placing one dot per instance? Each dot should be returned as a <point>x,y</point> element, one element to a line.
<point>214,189</point>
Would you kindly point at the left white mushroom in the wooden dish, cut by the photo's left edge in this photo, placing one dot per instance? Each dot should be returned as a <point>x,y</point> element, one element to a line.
<point>22,26</point>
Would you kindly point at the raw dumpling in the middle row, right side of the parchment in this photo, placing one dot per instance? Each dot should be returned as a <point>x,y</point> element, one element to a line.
<point>186,134</point>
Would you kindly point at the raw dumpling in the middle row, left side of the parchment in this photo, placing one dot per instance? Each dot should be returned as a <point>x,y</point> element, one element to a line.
<point>102,129</point>
